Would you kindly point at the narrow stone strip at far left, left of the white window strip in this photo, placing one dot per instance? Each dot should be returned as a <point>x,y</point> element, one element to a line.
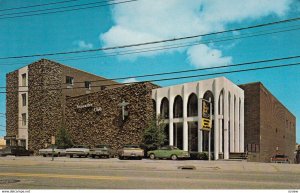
<point>12,116</point>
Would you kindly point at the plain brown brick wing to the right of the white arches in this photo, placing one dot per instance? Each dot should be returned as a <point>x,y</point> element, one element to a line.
<point>268,124</point>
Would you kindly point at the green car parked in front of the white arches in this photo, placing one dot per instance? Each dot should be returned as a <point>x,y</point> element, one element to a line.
<point>168,152</point>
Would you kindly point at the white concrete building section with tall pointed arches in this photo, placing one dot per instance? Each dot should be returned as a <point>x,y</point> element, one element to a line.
<point>180,106</point>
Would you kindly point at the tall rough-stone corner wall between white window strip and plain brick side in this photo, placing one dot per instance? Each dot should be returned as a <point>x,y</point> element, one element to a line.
<point>44,103</point>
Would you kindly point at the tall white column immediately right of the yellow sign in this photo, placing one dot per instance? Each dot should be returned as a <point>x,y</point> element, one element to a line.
<point>216,122</point>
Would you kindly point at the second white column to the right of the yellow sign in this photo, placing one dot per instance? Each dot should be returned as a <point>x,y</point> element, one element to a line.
<point>226,116</point>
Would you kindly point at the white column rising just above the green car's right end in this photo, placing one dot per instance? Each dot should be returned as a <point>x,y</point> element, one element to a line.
<point>185,124</point>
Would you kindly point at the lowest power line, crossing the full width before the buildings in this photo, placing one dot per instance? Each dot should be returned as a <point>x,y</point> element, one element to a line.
<point>176,78</point>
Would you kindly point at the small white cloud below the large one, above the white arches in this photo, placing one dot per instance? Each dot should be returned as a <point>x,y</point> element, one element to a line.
<point>202,56</point>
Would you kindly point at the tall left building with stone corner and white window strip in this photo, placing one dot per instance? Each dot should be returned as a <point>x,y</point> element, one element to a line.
<point>35,100</point>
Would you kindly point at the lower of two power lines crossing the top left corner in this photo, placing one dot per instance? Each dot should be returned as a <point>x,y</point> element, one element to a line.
<point>67,10</point>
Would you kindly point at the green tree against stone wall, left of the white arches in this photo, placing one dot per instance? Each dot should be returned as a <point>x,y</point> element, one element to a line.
<point>154,135</point>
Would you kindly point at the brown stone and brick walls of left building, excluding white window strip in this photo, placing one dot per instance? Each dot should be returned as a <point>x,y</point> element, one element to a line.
<point>47,92</point>
